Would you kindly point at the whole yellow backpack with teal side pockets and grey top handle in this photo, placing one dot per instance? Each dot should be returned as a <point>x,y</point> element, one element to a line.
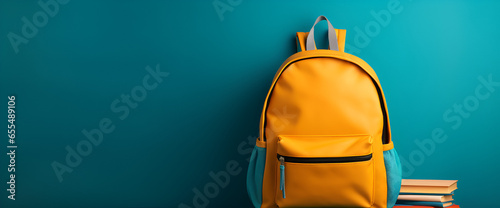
<point>325,139</point>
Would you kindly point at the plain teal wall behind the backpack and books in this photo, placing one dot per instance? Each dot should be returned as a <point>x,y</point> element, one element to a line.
<point>429,57</point>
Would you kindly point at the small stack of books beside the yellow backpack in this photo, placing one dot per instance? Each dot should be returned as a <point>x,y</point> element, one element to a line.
<point>426,193</point>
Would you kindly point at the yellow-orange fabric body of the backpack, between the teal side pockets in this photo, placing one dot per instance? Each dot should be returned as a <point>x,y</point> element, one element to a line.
<point>296,109</point>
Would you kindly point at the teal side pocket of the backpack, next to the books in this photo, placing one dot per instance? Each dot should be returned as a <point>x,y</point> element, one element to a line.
<point>394,176</point>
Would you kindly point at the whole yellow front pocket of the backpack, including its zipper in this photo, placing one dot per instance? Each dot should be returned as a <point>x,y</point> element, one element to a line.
<point>324,171</point>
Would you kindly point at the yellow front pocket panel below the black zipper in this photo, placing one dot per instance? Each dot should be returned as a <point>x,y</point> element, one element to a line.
<point>306,185</point>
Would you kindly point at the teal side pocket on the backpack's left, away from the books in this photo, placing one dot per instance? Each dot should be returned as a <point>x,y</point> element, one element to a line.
<point>255,175</point>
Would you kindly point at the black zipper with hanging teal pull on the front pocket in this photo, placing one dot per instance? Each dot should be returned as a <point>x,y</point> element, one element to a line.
<point>282,159</point>
